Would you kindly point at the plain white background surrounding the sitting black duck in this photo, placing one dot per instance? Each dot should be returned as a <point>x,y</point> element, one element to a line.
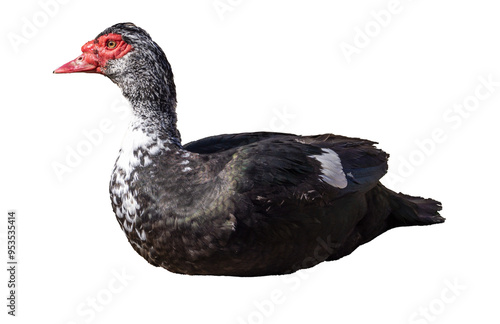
<point>262,65</point>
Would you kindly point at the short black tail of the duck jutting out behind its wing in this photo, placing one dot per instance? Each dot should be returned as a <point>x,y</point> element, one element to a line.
<point>409,210</point>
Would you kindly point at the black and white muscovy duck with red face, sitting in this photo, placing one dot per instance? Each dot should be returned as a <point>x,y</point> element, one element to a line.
<point>246,204</point>
